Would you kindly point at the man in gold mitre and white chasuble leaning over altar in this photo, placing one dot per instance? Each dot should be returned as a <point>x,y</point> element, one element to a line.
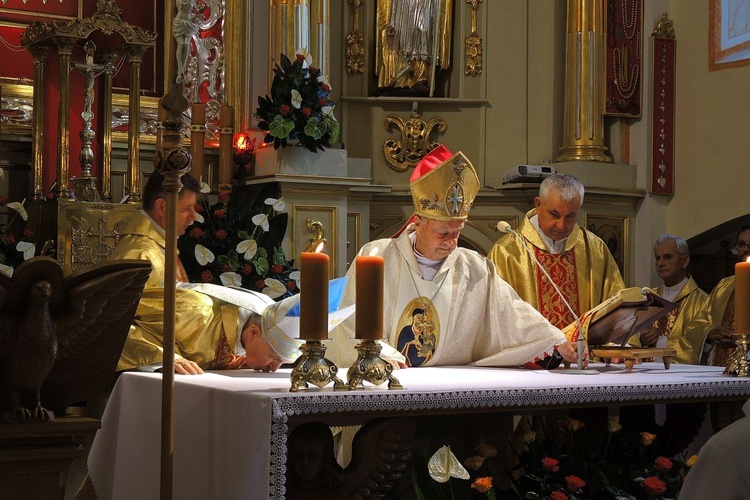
<point>445,305</point>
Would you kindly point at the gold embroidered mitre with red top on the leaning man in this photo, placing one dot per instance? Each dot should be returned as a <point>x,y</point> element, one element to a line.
<point>444,185</point>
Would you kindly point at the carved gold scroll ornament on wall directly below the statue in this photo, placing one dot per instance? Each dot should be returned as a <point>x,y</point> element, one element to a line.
<point>415,139</point>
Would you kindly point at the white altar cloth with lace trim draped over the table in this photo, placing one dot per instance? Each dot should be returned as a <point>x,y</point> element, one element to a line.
<point>231,426</point>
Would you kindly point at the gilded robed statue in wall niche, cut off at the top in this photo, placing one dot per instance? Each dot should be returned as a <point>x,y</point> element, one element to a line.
<point>413,43</point>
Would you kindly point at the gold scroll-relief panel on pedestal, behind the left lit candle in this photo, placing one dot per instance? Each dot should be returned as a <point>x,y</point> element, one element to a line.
<point>302,236</point>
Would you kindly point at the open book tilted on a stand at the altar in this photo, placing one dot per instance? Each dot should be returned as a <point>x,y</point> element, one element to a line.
<point>620,317</point>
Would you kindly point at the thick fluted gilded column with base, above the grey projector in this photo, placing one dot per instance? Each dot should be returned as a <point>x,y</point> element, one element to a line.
<point>583,130</point>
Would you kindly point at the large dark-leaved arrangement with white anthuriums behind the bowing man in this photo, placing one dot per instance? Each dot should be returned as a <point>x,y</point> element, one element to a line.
<point>238,243</point>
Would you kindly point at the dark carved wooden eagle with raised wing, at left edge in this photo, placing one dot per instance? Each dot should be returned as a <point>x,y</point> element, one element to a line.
<point>61,336</point>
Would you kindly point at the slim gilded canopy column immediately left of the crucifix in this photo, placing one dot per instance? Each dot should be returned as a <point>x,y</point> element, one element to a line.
<point>64,50</point>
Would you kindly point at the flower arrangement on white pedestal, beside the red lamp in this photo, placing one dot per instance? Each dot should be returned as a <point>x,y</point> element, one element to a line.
<point>299,107</point>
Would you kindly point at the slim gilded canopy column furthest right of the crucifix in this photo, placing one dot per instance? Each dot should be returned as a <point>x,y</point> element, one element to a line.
<point>132,184</point>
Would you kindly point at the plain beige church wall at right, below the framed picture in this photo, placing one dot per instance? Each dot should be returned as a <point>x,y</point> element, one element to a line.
<point>712,147</point>
